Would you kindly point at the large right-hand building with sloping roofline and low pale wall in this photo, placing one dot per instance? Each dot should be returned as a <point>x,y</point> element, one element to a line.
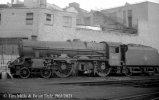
<point>131,23</point>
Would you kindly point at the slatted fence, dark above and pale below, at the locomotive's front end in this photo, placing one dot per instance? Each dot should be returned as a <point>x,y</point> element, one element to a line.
<point>8,52</point>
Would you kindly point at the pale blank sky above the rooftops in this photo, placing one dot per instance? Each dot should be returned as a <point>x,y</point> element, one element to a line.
<point>91,4</point>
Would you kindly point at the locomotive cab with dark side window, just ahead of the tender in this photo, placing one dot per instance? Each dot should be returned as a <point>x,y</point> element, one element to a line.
<point>117,58</point>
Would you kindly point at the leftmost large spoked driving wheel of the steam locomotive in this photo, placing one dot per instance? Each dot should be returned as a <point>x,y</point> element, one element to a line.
<point>63,69</point>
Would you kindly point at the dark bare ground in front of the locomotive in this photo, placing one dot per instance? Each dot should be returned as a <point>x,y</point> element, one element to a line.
<point>58,87</point>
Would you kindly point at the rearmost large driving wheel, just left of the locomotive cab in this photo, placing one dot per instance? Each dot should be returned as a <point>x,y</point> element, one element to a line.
<point>102,70</point>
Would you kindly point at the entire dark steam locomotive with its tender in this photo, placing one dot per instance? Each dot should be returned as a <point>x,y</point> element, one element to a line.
<point>71,57</point>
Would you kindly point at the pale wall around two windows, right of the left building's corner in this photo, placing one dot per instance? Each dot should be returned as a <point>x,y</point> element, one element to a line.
<point>56,31</point>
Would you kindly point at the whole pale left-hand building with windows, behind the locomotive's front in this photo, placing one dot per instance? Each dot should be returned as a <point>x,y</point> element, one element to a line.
<point>34,18</point>
